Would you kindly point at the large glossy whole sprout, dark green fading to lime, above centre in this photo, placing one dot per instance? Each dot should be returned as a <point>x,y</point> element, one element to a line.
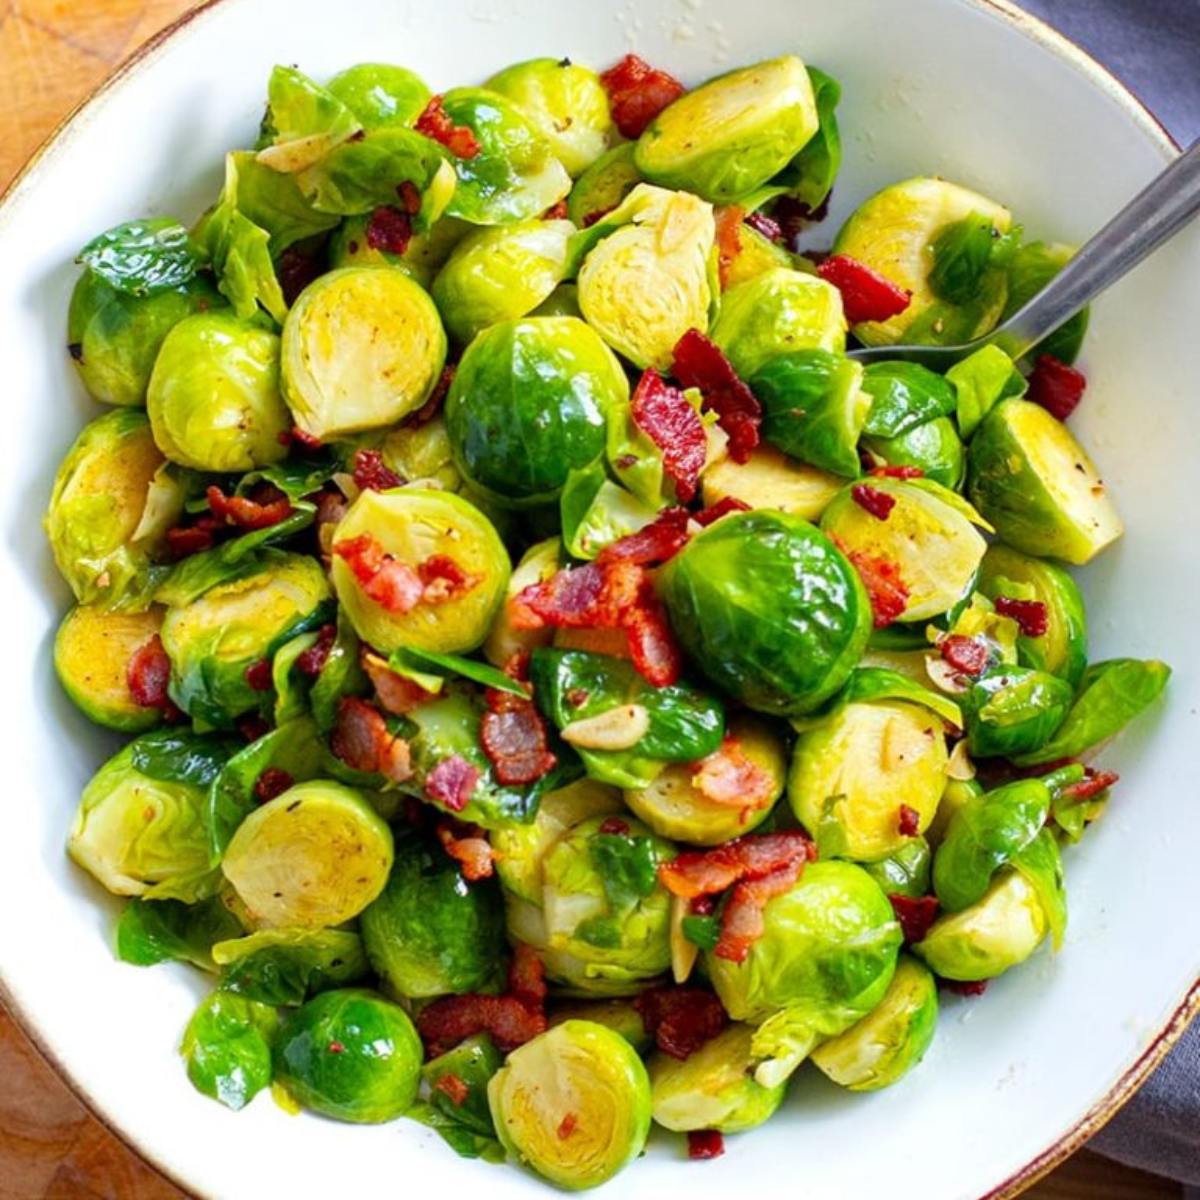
<point>530,401</point>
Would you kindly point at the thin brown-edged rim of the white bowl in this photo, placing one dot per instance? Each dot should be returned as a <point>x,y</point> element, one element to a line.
<point>1173,1029</point>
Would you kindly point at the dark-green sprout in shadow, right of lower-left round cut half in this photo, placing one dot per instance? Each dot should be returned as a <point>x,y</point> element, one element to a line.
<point>430,933</point>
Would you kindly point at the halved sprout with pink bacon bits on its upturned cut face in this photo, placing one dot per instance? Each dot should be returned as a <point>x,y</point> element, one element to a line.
<point>415,525</point>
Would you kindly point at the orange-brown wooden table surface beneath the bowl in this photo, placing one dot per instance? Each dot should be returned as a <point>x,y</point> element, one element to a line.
<point>52,55</point>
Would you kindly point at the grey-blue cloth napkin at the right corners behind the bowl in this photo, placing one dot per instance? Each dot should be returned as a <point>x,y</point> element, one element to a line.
<point>1155,47</point>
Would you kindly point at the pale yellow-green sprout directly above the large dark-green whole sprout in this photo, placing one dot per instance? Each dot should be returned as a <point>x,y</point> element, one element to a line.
<point>501,274</point>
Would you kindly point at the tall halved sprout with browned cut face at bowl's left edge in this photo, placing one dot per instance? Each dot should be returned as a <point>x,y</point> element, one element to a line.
<point>97,509</point>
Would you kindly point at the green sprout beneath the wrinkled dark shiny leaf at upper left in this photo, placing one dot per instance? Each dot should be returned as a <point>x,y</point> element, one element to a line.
<point>115,338</point>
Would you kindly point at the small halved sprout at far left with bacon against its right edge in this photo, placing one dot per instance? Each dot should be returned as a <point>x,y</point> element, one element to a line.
<point>92,658</point>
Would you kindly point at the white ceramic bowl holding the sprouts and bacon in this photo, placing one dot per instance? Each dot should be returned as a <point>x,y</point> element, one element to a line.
<point>963,88</point>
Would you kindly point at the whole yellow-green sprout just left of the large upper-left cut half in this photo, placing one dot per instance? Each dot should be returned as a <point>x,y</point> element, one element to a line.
<point>214,397</point>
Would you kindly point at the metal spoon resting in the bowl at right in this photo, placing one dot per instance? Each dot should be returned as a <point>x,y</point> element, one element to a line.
<point>1149,220</point>
